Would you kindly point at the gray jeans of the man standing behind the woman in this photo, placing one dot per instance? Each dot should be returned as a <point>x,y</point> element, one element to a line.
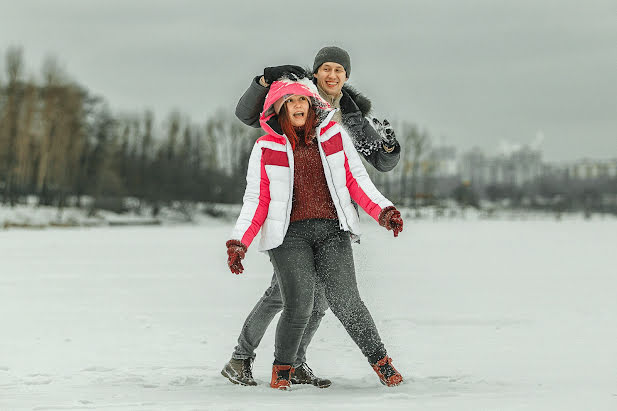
<point>270,304</point>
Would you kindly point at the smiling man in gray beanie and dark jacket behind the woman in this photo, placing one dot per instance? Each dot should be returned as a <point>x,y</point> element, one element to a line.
<point>331,70</point>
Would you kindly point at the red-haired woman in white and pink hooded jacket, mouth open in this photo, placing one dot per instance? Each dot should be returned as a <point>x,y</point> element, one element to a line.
<point>301,180</point>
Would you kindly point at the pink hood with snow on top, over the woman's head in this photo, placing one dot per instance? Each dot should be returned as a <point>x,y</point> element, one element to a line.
<point>279,89</point>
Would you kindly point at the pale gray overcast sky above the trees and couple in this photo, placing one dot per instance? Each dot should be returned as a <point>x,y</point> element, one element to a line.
<point>471,72</point>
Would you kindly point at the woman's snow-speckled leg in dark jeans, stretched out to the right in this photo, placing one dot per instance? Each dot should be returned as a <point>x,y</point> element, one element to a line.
<point>335,267</point>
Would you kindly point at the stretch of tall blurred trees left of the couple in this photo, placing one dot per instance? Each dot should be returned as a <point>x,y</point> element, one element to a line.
<point>58,141</point>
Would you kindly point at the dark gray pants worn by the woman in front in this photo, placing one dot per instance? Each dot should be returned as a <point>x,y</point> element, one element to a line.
<point>317,250</point>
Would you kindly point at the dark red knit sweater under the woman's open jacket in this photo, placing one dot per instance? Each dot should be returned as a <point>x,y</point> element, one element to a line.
<point>311,196</point>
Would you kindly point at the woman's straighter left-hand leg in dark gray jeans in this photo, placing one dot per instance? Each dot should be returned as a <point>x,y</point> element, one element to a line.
<point>294,267</point>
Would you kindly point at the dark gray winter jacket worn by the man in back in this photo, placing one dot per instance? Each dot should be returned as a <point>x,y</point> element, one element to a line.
<point>354,109</point>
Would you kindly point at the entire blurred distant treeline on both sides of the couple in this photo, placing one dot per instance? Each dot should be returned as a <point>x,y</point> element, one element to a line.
<point>60,142</point>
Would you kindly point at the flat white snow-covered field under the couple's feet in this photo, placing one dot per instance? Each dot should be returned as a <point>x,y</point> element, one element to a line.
<point>478,315</point>
